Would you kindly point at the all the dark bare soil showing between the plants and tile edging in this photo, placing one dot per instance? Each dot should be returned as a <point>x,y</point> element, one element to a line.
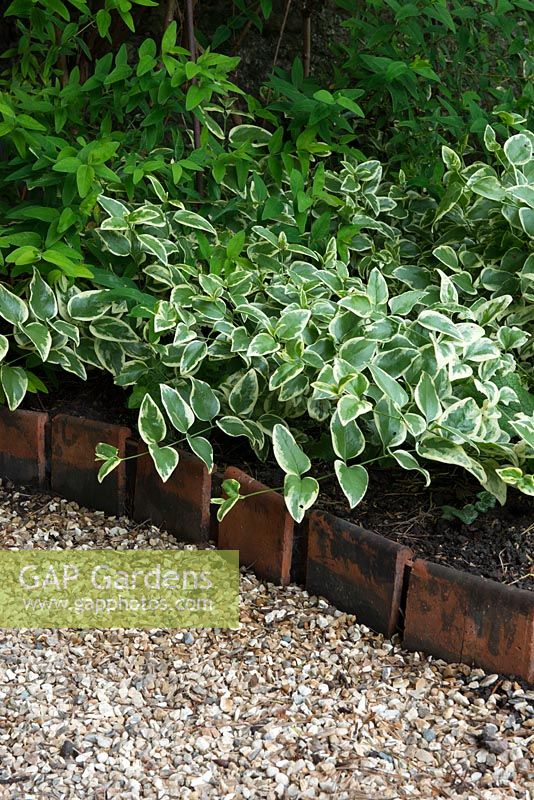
<point>498,544</point>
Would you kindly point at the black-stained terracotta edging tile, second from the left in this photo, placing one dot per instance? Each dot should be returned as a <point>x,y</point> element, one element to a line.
<point>73,466</point>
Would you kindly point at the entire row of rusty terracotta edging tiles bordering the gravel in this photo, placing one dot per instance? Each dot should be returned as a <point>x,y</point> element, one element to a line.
<point>449,614</point>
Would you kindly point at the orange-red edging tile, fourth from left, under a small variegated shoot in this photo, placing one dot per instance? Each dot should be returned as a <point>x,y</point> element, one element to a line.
<point>260,528</point>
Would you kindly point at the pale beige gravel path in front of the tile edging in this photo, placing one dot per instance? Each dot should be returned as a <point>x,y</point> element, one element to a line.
<point>301,702</point>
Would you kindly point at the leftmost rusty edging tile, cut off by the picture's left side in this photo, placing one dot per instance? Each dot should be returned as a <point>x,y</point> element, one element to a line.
<point>23,446</point>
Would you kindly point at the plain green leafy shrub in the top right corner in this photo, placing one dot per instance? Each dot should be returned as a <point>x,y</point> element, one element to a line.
<point>432,73</point>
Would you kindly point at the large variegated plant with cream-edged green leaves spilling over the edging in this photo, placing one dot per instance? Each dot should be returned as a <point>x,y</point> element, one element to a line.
<point>399,327</point>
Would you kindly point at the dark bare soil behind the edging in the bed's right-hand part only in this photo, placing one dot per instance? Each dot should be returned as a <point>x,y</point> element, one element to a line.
<point>499,544</point>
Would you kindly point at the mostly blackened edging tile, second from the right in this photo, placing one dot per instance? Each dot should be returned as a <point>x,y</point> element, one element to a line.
<point>359,571</point>
